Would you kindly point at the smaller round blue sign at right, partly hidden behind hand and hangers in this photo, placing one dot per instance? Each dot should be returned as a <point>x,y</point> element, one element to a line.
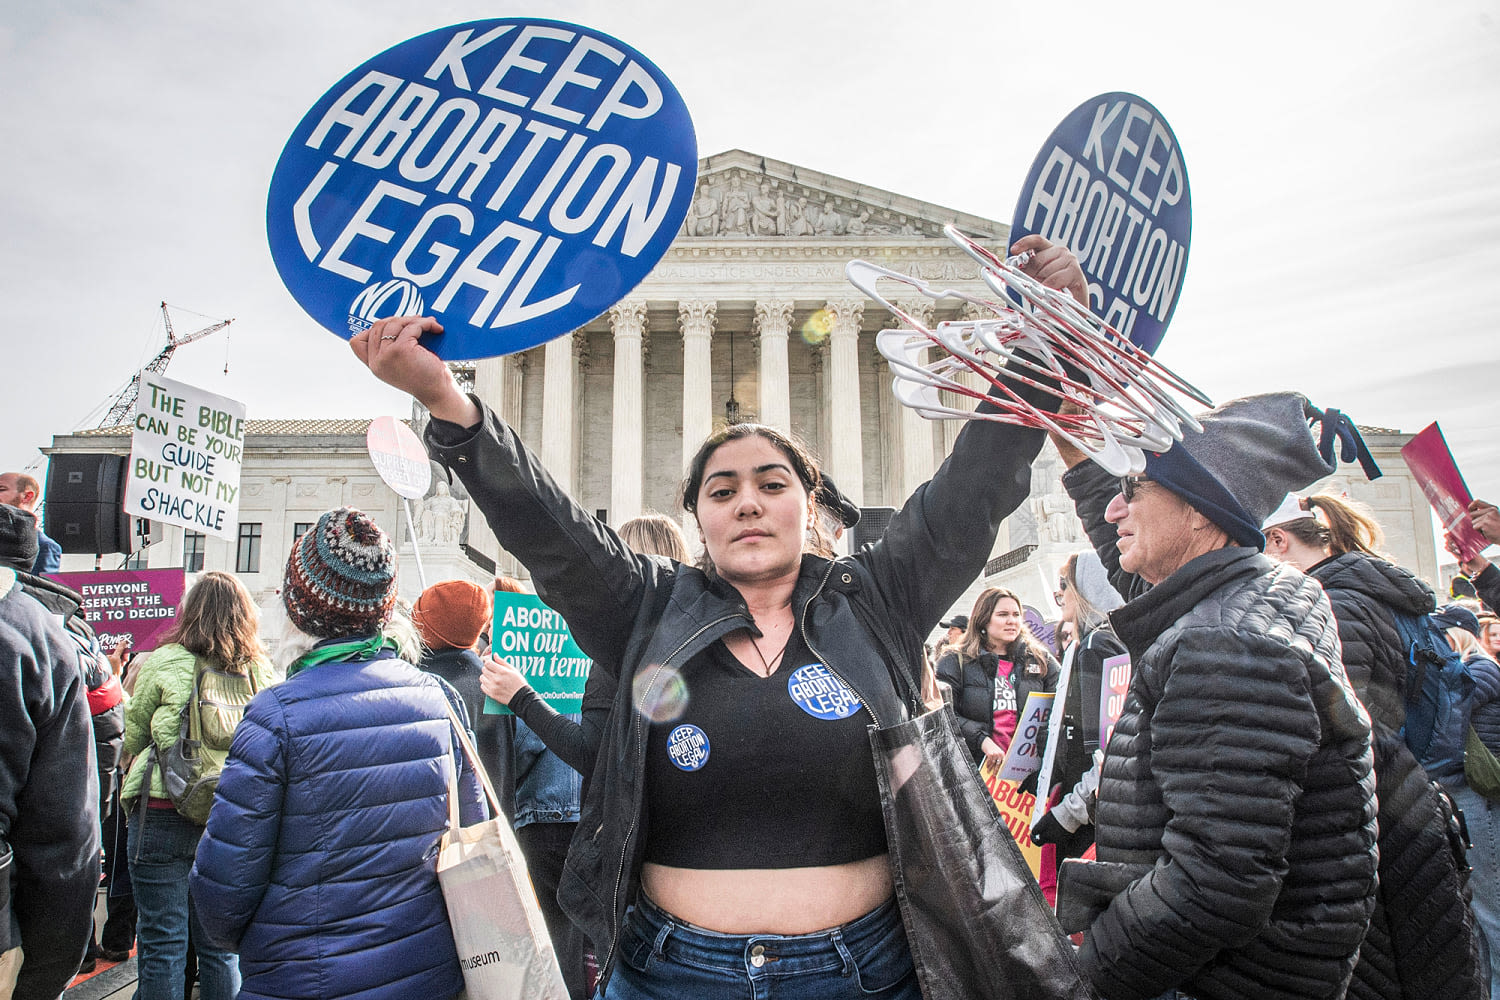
<point>1112,184</point>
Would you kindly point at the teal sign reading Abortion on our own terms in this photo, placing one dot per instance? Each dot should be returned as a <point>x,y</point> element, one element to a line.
<point>536,641</point>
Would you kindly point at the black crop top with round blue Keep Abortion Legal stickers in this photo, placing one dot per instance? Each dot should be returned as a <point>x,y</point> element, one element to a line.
<point>763,773</point>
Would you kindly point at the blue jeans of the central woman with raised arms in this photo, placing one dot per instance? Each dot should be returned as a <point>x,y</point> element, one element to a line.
<point>664,959</point>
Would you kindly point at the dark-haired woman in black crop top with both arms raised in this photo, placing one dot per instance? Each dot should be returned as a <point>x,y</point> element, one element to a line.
<point>733,828</point>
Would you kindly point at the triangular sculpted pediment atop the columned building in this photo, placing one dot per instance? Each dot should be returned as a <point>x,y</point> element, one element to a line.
<point>746,197</point>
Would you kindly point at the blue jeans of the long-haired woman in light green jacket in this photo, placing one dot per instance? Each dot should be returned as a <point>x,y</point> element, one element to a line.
<point>163,846</point>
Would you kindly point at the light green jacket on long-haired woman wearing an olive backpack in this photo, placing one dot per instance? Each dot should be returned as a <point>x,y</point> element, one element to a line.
<point>154,714</point>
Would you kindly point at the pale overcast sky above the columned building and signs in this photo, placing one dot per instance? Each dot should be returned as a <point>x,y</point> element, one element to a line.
<point>1345,173</point>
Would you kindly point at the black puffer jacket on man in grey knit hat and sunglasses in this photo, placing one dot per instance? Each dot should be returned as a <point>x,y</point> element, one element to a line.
<point>1237,818</point>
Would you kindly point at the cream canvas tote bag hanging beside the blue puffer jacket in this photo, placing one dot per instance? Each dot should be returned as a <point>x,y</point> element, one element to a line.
<point>499,929</point>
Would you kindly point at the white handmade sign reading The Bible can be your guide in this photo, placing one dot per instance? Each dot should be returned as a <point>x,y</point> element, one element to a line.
<point>185,458</point>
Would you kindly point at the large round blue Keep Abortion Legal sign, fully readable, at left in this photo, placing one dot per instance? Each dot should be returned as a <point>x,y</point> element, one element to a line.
<point>512,178</point>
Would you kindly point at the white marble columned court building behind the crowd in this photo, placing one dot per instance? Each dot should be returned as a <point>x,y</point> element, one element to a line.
<point>748,317</point>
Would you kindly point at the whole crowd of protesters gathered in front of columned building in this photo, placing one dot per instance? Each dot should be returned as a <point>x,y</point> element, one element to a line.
<point>1261,824</point>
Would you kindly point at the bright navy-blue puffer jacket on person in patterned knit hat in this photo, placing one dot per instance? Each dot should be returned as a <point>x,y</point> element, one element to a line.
<point>319,861</point>
